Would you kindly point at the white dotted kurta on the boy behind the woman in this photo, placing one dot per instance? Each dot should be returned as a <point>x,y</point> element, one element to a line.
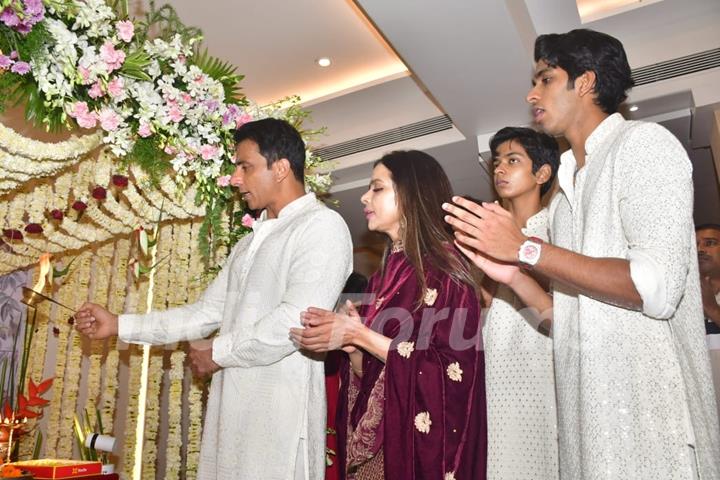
<point>520,387</point>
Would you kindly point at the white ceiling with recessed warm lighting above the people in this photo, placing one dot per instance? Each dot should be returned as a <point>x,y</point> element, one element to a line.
<point>468,59</point>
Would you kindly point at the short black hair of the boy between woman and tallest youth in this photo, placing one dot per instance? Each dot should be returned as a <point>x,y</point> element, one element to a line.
<point>540,147</point>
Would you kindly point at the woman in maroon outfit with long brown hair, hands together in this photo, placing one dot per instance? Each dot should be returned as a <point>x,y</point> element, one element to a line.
<point>412,401</point>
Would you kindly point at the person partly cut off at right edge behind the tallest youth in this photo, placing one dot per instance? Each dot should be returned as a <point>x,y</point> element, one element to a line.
<point>708,243</point>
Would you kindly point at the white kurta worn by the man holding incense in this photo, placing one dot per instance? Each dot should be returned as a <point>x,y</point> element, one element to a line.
<point>267,404</point>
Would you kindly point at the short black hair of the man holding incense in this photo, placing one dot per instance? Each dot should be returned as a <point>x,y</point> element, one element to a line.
<point>276,139</point>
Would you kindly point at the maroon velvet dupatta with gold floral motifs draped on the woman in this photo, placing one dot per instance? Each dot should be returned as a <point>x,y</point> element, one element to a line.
<point>424,409</point>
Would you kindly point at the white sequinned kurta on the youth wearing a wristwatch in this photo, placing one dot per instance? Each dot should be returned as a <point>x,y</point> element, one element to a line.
<point>634,388</point>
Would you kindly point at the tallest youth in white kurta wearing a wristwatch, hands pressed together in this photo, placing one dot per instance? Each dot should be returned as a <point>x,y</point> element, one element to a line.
<point>635,397</point>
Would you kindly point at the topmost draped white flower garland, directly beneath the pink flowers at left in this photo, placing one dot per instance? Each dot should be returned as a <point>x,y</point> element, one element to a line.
<point>68,150</point>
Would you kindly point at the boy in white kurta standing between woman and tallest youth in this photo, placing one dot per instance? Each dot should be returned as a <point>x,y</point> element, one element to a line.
<point>519,373</point>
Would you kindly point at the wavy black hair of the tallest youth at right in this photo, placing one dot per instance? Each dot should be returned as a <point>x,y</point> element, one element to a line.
<point>582,50</point>
